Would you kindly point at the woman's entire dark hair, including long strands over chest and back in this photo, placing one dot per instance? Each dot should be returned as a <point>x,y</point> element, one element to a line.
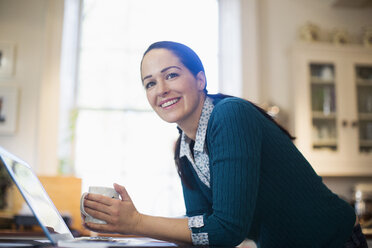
<point>193,63</point>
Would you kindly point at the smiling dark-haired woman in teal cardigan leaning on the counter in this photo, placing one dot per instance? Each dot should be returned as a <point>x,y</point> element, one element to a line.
<point>233,159</point>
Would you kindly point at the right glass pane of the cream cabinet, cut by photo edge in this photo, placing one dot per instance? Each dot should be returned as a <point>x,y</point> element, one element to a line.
<point>363,75</point>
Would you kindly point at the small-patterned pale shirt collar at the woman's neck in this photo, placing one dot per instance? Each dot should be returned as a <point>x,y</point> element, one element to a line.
<point>201,131</point>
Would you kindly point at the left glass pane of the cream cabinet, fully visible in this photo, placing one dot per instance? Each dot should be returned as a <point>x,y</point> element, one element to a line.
<point>323,106</point>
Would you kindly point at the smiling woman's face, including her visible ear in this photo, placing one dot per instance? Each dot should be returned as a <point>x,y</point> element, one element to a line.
<point>172,90</point>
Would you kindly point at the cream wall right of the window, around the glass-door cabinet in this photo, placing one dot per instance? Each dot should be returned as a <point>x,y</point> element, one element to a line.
<point>278,23</point>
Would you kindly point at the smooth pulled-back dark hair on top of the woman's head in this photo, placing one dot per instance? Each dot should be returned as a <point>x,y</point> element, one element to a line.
<point>185,54</point>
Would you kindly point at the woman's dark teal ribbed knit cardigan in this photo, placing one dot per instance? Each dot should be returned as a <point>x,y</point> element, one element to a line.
<point>262,188</point>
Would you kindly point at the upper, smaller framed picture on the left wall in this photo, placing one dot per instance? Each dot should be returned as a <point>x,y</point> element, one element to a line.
<point>6,59</point>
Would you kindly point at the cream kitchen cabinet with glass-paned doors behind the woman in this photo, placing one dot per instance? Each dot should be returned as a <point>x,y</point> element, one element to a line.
<point>332,92</point>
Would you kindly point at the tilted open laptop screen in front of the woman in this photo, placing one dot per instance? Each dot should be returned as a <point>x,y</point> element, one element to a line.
<point>36,197</point>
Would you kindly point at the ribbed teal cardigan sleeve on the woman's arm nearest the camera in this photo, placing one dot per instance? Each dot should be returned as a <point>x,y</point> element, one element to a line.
<point>234,142</point>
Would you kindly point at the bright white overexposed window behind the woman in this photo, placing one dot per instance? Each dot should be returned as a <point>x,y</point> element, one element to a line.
<point>118,137</point>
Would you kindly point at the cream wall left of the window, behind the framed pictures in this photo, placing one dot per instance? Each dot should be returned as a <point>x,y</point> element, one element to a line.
<point>35,29</point>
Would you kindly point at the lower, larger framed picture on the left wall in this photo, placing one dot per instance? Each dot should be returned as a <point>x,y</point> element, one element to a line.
<point>8,109</point>
